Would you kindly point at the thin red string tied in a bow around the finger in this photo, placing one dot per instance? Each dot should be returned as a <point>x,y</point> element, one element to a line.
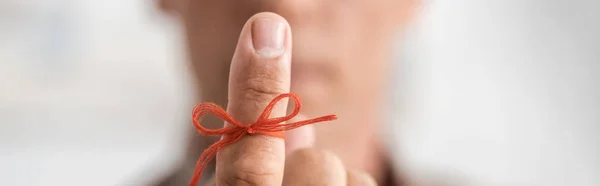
<point>263,125</point>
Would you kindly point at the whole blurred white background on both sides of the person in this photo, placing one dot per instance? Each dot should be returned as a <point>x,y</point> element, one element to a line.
<point>495,92</point>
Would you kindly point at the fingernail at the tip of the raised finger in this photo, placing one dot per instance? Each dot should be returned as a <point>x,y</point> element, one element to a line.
<point>267,37</point>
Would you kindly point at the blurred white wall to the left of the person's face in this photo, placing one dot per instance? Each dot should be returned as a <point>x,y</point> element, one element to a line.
<point>91,93</point>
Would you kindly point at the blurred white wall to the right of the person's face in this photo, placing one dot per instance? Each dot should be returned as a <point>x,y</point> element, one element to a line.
<point>503,92</point>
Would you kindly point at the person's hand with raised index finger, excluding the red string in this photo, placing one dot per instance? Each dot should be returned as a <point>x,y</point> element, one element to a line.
<point>260,71</point>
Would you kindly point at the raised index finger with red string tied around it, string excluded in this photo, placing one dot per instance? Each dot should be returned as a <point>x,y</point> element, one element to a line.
<point>260,71</point>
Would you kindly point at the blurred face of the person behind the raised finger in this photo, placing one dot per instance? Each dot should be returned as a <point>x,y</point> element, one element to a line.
<point>340,59</point>
